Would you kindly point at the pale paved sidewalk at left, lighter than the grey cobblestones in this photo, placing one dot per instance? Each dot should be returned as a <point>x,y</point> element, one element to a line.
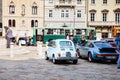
<point>19,52</point>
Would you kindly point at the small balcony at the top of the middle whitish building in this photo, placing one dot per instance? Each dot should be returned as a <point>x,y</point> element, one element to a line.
<point>59,4</point>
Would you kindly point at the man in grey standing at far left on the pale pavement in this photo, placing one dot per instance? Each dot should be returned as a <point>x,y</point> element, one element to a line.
<point>8,36</point>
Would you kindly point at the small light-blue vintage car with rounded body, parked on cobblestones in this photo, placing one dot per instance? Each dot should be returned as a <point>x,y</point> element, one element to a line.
<point>61,49</point>
